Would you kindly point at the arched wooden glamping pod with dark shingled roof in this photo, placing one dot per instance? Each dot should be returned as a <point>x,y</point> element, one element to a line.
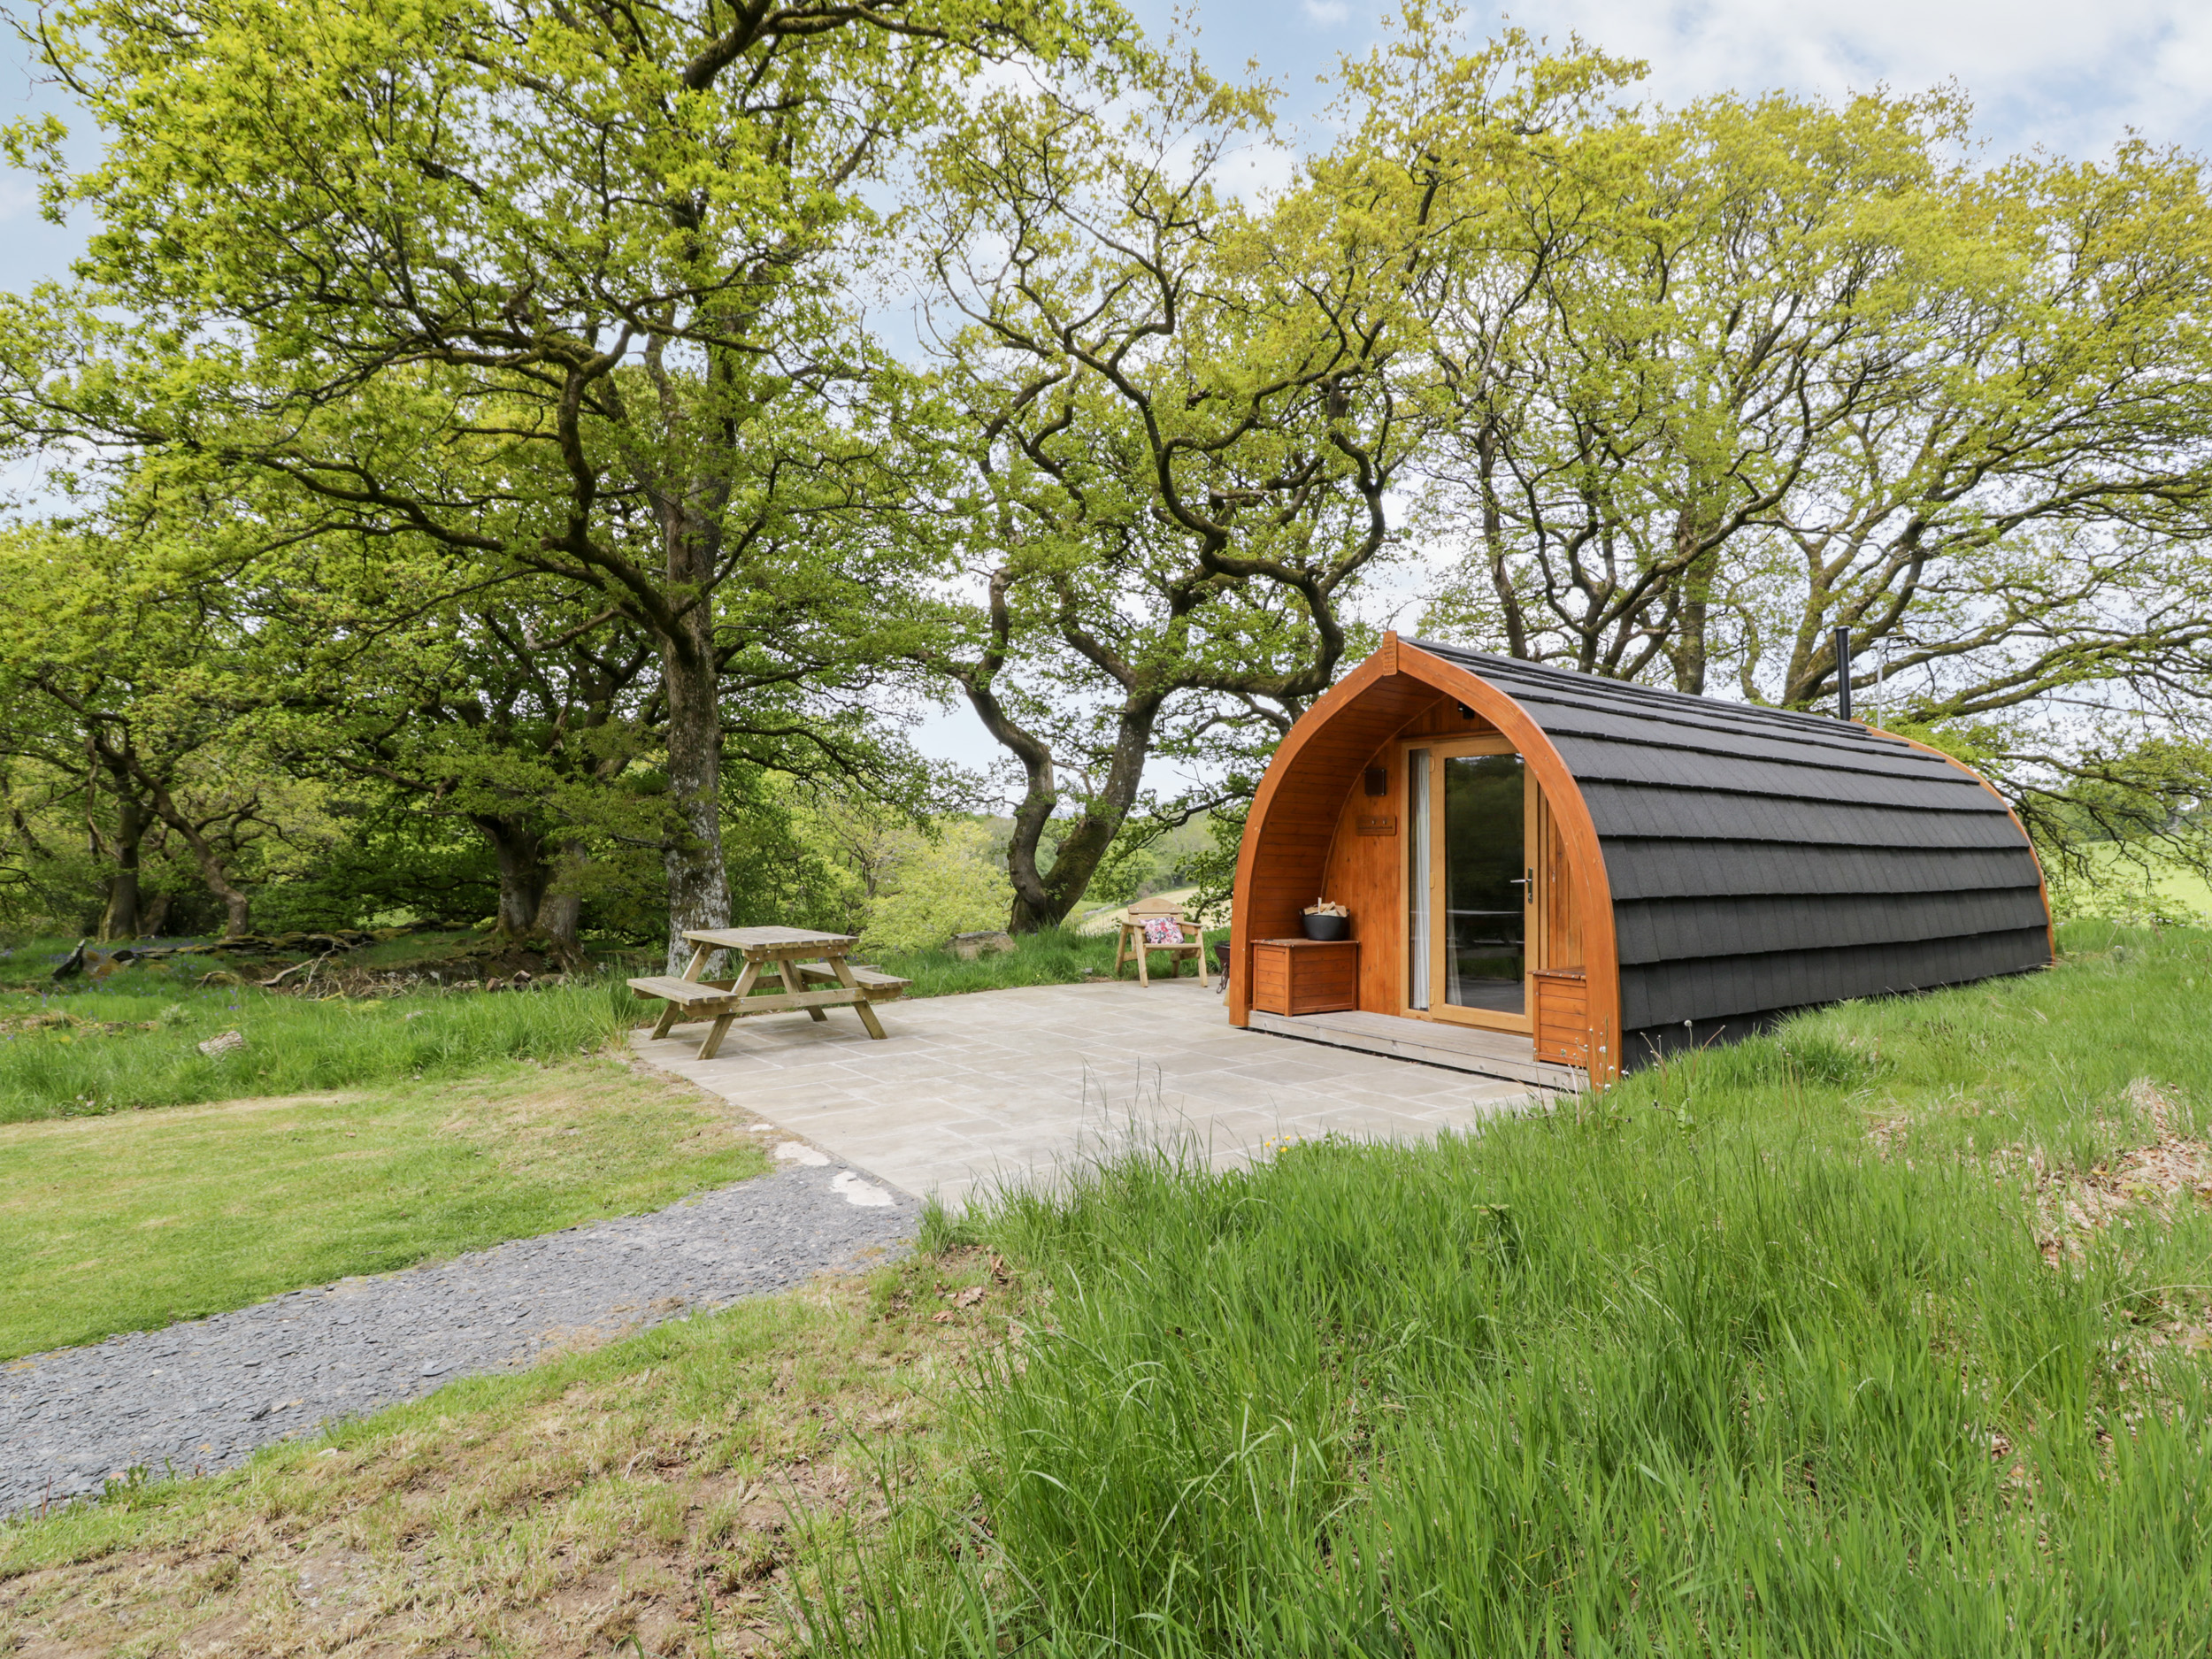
<point>1554,873</point>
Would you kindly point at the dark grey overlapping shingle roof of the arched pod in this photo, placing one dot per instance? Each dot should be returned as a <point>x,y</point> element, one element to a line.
<point>1768,862</point>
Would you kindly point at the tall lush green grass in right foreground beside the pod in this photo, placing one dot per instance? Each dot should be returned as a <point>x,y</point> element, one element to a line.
<point>1760,1355</point>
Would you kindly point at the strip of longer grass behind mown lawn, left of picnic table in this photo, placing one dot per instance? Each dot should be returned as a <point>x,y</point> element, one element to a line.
<point>293,1045</point>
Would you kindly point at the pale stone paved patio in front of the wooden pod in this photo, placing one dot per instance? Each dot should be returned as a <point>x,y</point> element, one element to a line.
<point>1016,1085</point>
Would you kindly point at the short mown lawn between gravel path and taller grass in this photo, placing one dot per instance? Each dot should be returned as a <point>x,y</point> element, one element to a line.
<point>138,1220</point>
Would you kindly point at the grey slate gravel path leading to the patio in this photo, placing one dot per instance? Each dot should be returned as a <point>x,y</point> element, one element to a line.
<point>202,1397</point>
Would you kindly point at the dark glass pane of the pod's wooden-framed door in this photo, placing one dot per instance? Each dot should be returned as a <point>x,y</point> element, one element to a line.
<point>1485,884</point>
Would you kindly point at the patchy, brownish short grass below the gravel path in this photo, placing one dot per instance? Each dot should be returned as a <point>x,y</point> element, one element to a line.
<point>660,1496</point>
